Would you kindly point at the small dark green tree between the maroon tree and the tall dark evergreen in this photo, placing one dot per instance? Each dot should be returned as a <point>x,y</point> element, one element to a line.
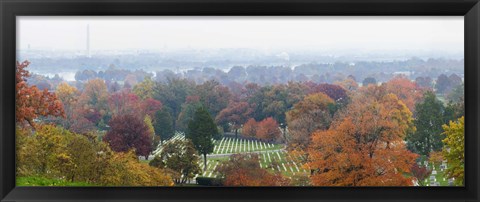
<point>163,124</point>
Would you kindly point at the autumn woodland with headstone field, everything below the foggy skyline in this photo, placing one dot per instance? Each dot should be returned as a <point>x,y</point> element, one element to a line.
<point>358,123</point>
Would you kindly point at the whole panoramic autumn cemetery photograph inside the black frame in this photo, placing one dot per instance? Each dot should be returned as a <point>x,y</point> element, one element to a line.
<point>240,101</point>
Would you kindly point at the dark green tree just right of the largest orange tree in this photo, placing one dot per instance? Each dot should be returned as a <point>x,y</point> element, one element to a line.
<point>429,118</point>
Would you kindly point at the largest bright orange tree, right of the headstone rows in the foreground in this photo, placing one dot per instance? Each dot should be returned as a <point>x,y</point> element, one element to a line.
<point>365,146</point>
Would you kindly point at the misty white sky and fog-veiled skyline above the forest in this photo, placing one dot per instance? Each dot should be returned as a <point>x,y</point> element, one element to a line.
<point>185,43</point>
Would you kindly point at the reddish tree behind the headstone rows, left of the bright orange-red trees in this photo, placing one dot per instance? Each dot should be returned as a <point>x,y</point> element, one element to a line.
<point>235,114</point>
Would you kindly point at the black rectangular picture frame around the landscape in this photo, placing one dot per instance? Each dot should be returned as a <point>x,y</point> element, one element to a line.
<point>9,9</point>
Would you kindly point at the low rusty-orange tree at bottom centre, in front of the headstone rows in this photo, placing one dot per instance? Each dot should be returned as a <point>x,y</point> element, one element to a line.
<point>244,170</point>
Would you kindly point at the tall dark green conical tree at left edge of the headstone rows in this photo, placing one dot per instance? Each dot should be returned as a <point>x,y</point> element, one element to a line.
<point>201,131</point>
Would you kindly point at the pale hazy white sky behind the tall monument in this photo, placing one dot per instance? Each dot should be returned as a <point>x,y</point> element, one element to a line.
<point>324,33</point>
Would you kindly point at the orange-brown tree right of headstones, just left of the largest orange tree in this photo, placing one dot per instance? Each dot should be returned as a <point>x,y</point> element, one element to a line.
<point>311,114</point>
